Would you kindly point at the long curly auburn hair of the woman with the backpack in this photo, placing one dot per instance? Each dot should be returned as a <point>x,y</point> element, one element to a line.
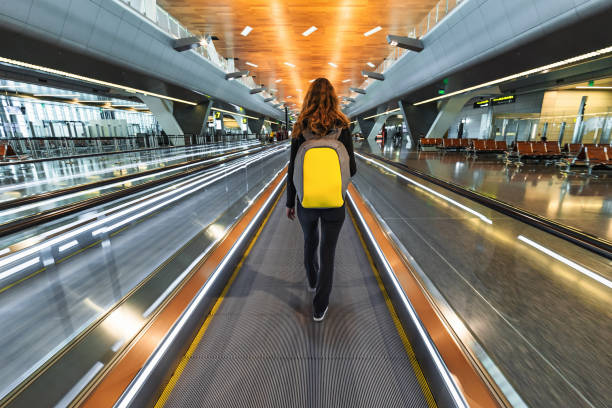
<point>320,110</point>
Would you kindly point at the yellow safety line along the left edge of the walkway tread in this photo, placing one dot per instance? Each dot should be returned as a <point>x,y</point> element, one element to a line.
<point>196,341</point>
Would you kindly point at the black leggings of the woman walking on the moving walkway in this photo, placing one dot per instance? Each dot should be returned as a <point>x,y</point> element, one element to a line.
<point>331,223</point>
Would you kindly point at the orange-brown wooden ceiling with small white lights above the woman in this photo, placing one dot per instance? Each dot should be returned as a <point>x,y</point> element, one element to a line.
<point>277,37</point>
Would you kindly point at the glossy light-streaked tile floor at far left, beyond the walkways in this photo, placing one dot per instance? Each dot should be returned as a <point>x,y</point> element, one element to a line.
<point>22,180</point>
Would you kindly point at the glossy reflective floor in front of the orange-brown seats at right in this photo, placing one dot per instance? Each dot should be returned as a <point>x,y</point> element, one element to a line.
<point>581,202</point>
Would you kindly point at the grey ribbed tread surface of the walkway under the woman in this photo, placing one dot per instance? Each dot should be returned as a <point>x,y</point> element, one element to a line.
<point>260,346</point>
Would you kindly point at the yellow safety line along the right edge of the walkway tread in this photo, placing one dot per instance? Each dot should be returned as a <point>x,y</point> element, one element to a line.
<point>398,324</point>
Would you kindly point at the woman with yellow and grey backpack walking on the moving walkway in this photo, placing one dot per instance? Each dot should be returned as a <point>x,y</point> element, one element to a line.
<point>323,126</point>
